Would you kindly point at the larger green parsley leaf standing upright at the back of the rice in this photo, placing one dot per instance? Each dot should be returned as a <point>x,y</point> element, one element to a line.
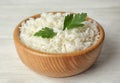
<point>72,21</point>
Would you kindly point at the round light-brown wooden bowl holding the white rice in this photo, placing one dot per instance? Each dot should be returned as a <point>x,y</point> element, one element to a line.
<point>61,64</point>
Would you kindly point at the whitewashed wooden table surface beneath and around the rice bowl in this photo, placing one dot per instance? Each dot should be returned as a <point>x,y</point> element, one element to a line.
<point>106,12</point>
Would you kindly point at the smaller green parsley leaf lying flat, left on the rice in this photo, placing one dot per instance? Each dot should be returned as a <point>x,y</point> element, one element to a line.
<point>45,33</point>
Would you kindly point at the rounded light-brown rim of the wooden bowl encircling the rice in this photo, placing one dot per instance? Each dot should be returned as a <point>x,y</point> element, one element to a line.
<point>40,53</point>
